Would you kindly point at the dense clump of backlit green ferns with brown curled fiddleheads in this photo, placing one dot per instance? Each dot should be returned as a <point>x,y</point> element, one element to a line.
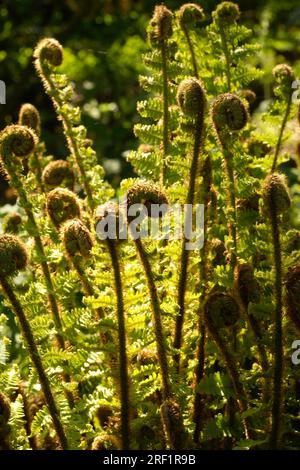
<point>132,342</point>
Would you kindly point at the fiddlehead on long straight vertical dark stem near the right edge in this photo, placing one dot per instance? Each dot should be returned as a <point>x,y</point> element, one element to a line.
<point>277,201</point>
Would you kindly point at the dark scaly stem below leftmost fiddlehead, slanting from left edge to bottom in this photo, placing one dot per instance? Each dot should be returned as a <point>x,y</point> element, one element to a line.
<point>36,360</point>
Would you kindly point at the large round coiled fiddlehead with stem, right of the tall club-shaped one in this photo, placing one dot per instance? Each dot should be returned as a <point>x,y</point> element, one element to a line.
<point>229,113</point>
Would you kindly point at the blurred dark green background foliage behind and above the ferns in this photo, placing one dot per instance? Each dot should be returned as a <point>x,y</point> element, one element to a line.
<point>103,41</point>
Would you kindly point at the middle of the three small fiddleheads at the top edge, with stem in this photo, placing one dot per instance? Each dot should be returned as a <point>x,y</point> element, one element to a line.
<point>190,15</point>
